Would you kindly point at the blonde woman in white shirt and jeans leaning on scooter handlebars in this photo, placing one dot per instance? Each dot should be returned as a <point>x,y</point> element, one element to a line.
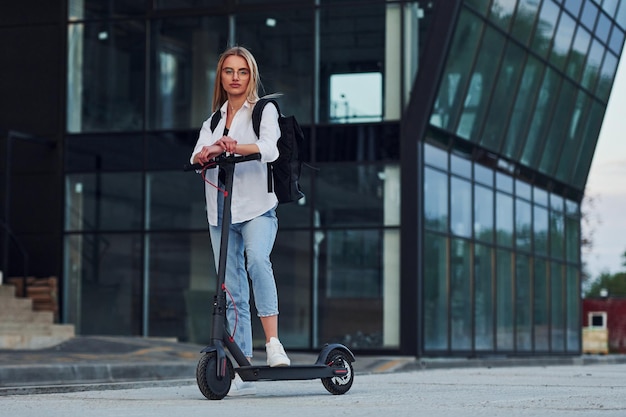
<point>254,223</point>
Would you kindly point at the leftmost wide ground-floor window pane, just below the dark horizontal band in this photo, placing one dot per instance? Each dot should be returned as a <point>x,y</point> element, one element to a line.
<point>103,201</point>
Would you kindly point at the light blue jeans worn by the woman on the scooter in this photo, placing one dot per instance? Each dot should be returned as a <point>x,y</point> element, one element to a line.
<point>255,238</point>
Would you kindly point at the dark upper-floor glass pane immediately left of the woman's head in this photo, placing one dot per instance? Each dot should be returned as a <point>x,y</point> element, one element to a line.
<point>184,54</point>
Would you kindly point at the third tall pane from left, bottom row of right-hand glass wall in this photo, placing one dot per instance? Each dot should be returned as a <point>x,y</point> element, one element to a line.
<point>483,298</point>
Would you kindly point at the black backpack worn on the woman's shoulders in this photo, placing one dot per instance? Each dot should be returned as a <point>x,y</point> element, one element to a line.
<point>286,169</point>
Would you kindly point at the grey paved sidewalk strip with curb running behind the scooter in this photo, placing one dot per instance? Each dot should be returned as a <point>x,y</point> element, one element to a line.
<point>105,362</point>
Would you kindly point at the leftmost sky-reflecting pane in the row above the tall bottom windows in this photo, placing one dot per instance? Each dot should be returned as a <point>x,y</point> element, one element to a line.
<point>435,200</point>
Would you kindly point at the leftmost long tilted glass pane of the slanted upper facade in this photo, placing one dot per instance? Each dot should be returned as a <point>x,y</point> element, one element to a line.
<point>451,95</point>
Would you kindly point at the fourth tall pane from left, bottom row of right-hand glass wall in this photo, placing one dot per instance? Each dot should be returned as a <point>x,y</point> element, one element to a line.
<point>505,327</point>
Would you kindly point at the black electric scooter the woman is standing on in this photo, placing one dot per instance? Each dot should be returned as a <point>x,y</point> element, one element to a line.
<point>215,370</point>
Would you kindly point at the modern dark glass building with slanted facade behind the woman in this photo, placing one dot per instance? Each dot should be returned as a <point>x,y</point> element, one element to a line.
<point>451,143</point>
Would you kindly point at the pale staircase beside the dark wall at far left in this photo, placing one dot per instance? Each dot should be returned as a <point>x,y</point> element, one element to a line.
<point>21,327</point>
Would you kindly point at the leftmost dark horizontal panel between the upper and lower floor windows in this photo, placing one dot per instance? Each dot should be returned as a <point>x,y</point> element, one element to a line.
<point>104,153</point>
